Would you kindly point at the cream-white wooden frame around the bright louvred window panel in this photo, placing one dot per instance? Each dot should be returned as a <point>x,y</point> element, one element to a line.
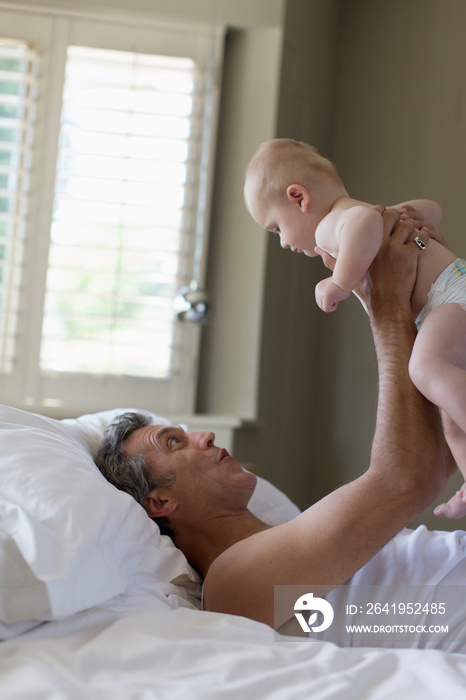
<point>60,394</point>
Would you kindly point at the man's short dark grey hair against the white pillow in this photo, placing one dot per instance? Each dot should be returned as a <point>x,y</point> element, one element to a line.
<point>131,474</point>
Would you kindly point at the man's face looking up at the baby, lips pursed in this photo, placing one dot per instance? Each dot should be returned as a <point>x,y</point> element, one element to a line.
<point>204,473</point>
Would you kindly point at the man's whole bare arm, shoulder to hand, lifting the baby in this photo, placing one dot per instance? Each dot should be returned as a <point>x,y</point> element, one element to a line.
<point>332,539</point>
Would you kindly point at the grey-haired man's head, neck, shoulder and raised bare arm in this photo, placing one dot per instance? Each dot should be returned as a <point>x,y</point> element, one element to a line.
<point>202,493</point>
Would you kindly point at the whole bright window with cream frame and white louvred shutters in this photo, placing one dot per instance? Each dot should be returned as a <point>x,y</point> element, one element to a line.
<point>114,132</point>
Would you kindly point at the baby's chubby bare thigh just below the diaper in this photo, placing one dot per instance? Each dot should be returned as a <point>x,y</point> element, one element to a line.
<point>438,361</point>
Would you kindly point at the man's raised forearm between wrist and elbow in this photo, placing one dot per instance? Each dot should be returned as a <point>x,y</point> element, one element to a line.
<point>408,443</point>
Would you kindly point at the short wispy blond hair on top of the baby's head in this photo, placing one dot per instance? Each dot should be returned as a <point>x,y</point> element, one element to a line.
<point>281,162</point>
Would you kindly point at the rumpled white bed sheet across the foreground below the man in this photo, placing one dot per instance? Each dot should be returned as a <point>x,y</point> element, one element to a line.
<point>186,654</point>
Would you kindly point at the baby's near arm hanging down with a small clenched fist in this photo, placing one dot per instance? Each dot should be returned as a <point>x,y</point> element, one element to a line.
<point>359,237</point>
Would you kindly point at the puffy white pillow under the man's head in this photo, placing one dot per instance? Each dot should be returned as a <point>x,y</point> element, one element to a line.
<point>69,540</point>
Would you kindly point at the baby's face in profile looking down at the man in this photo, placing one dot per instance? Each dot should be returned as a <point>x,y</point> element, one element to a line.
<point>295,227</point>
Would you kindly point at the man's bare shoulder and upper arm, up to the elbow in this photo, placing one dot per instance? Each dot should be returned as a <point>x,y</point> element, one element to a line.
<point>324,545</point>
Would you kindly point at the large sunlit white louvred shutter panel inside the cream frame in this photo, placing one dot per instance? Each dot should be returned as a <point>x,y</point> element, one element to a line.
<point>122,215</point>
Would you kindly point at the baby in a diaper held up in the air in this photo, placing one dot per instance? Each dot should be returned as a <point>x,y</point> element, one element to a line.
<point>294,192</point>
